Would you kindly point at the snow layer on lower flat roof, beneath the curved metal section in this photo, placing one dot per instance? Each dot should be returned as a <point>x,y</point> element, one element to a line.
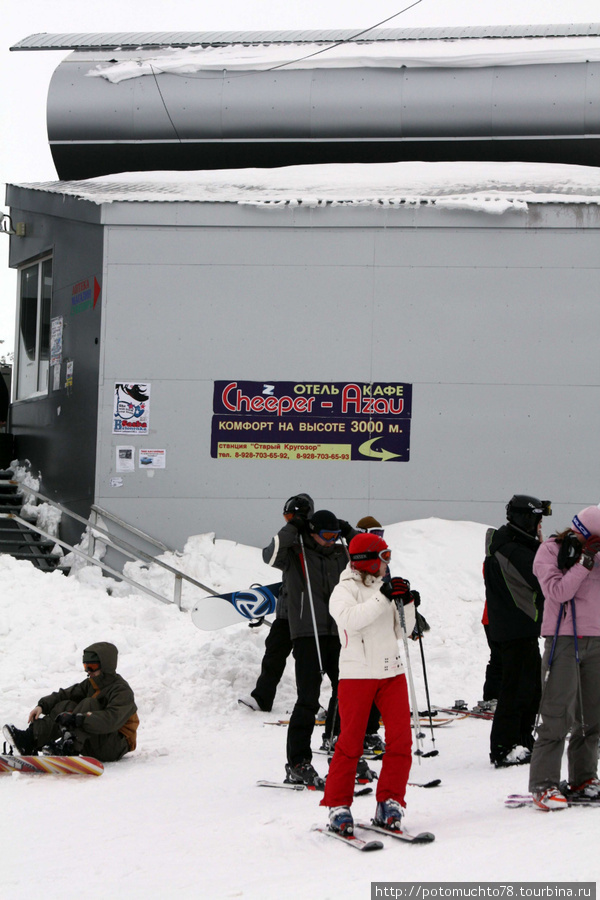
<point>491,187</point>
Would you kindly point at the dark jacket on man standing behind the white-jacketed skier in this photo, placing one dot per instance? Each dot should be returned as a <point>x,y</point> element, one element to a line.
<point>324,565</point>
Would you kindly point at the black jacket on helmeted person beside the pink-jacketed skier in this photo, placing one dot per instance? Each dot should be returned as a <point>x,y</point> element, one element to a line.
<point>515,602</point>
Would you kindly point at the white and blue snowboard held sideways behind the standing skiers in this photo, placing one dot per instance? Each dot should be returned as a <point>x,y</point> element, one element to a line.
<point>222,610</point>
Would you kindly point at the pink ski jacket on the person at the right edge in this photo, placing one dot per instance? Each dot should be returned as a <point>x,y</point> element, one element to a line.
<point>578,583</point>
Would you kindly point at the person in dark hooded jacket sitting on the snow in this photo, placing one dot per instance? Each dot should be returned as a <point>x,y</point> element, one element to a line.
<point>96,717</point>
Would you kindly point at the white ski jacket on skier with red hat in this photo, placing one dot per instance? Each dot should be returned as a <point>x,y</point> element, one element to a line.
<point>369,627</point>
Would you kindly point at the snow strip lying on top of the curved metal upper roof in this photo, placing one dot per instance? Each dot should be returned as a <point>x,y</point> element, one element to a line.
<point>388,54</point>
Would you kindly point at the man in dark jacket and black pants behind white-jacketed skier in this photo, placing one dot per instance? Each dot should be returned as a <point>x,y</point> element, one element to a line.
<point>311,556</point>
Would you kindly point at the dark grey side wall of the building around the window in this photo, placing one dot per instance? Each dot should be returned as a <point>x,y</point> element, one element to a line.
<point>57,432</point>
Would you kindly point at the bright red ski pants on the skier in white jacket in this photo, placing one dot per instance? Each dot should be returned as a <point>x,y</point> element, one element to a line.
<point>355,697</point>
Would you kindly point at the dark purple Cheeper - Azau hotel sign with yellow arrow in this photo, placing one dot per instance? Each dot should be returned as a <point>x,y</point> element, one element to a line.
<point>317,421</point>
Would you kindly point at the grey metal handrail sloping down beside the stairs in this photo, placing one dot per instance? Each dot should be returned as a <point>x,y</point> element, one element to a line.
<point>117,544</point>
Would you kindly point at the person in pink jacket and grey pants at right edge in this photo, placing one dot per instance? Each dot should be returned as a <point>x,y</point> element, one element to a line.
<point>567,567</point>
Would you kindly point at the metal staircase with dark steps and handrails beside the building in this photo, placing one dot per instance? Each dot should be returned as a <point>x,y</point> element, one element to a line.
<point>25,540</point>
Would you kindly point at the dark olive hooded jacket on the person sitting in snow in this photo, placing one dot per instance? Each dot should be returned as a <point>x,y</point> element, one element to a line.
<point>107,698</point>
